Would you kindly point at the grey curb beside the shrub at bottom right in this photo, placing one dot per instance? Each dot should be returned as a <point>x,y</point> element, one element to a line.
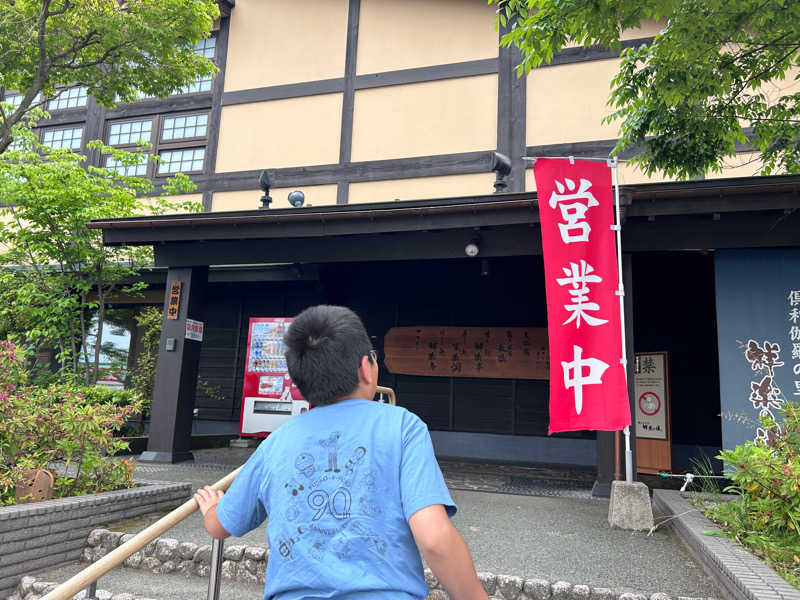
<point>739,574</point>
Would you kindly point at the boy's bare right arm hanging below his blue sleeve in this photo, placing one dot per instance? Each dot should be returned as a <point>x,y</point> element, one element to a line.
<point>446,552</point>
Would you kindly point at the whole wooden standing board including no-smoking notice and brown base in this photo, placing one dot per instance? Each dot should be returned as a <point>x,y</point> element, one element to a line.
<point>651,384</point>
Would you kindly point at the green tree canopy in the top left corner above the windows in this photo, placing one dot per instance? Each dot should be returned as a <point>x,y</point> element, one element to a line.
<point>116,48</point>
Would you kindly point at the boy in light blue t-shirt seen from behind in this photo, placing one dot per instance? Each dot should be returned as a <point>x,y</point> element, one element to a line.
<point>352,488</point>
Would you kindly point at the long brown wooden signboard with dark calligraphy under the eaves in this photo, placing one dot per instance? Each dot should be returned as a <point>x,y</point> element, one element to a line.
<point>493,352</point>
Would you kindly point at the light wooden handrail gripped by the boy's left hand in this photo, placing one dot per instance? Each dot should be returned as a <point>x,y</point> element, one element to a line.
<point>96,570</point>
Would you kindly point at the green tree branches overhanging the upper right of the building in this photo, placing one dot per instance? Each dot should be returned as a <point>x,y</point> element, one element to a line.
<point>706,82</point>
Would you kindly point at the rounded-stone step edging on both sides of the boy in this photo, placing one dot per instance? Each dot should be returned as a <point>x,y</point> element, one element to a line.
<point>248,564</point>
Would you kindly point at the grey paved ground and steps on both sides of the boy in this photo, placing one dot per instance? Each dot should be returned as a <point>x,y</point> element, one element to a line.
<point>543,523</point>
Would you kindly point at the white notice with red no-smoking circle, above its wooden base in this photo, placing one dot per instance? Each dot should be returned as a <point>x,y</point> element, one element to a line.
<point>650,383</point>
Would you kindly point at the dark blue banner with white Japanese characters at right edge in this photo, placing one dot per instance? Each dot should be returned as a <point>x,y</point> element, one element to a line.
<point>758,333</point>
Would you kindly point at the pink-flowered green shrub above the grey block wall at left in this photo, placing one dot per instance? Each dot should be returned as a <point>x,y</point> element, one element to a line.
<point>61,425</point>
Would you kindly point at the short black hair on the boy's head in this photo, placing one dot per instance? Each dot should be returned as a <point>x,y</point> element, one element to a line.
<point>324,348</point>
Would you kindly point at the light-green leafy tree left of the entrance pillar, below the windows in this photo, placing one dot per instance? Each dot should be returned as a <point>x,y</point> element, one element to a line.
<point>58,273</point>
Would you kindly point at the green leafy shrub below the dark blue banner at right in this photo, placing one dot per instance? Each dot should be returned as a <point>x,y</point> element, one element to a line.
<point>766,518</point>
